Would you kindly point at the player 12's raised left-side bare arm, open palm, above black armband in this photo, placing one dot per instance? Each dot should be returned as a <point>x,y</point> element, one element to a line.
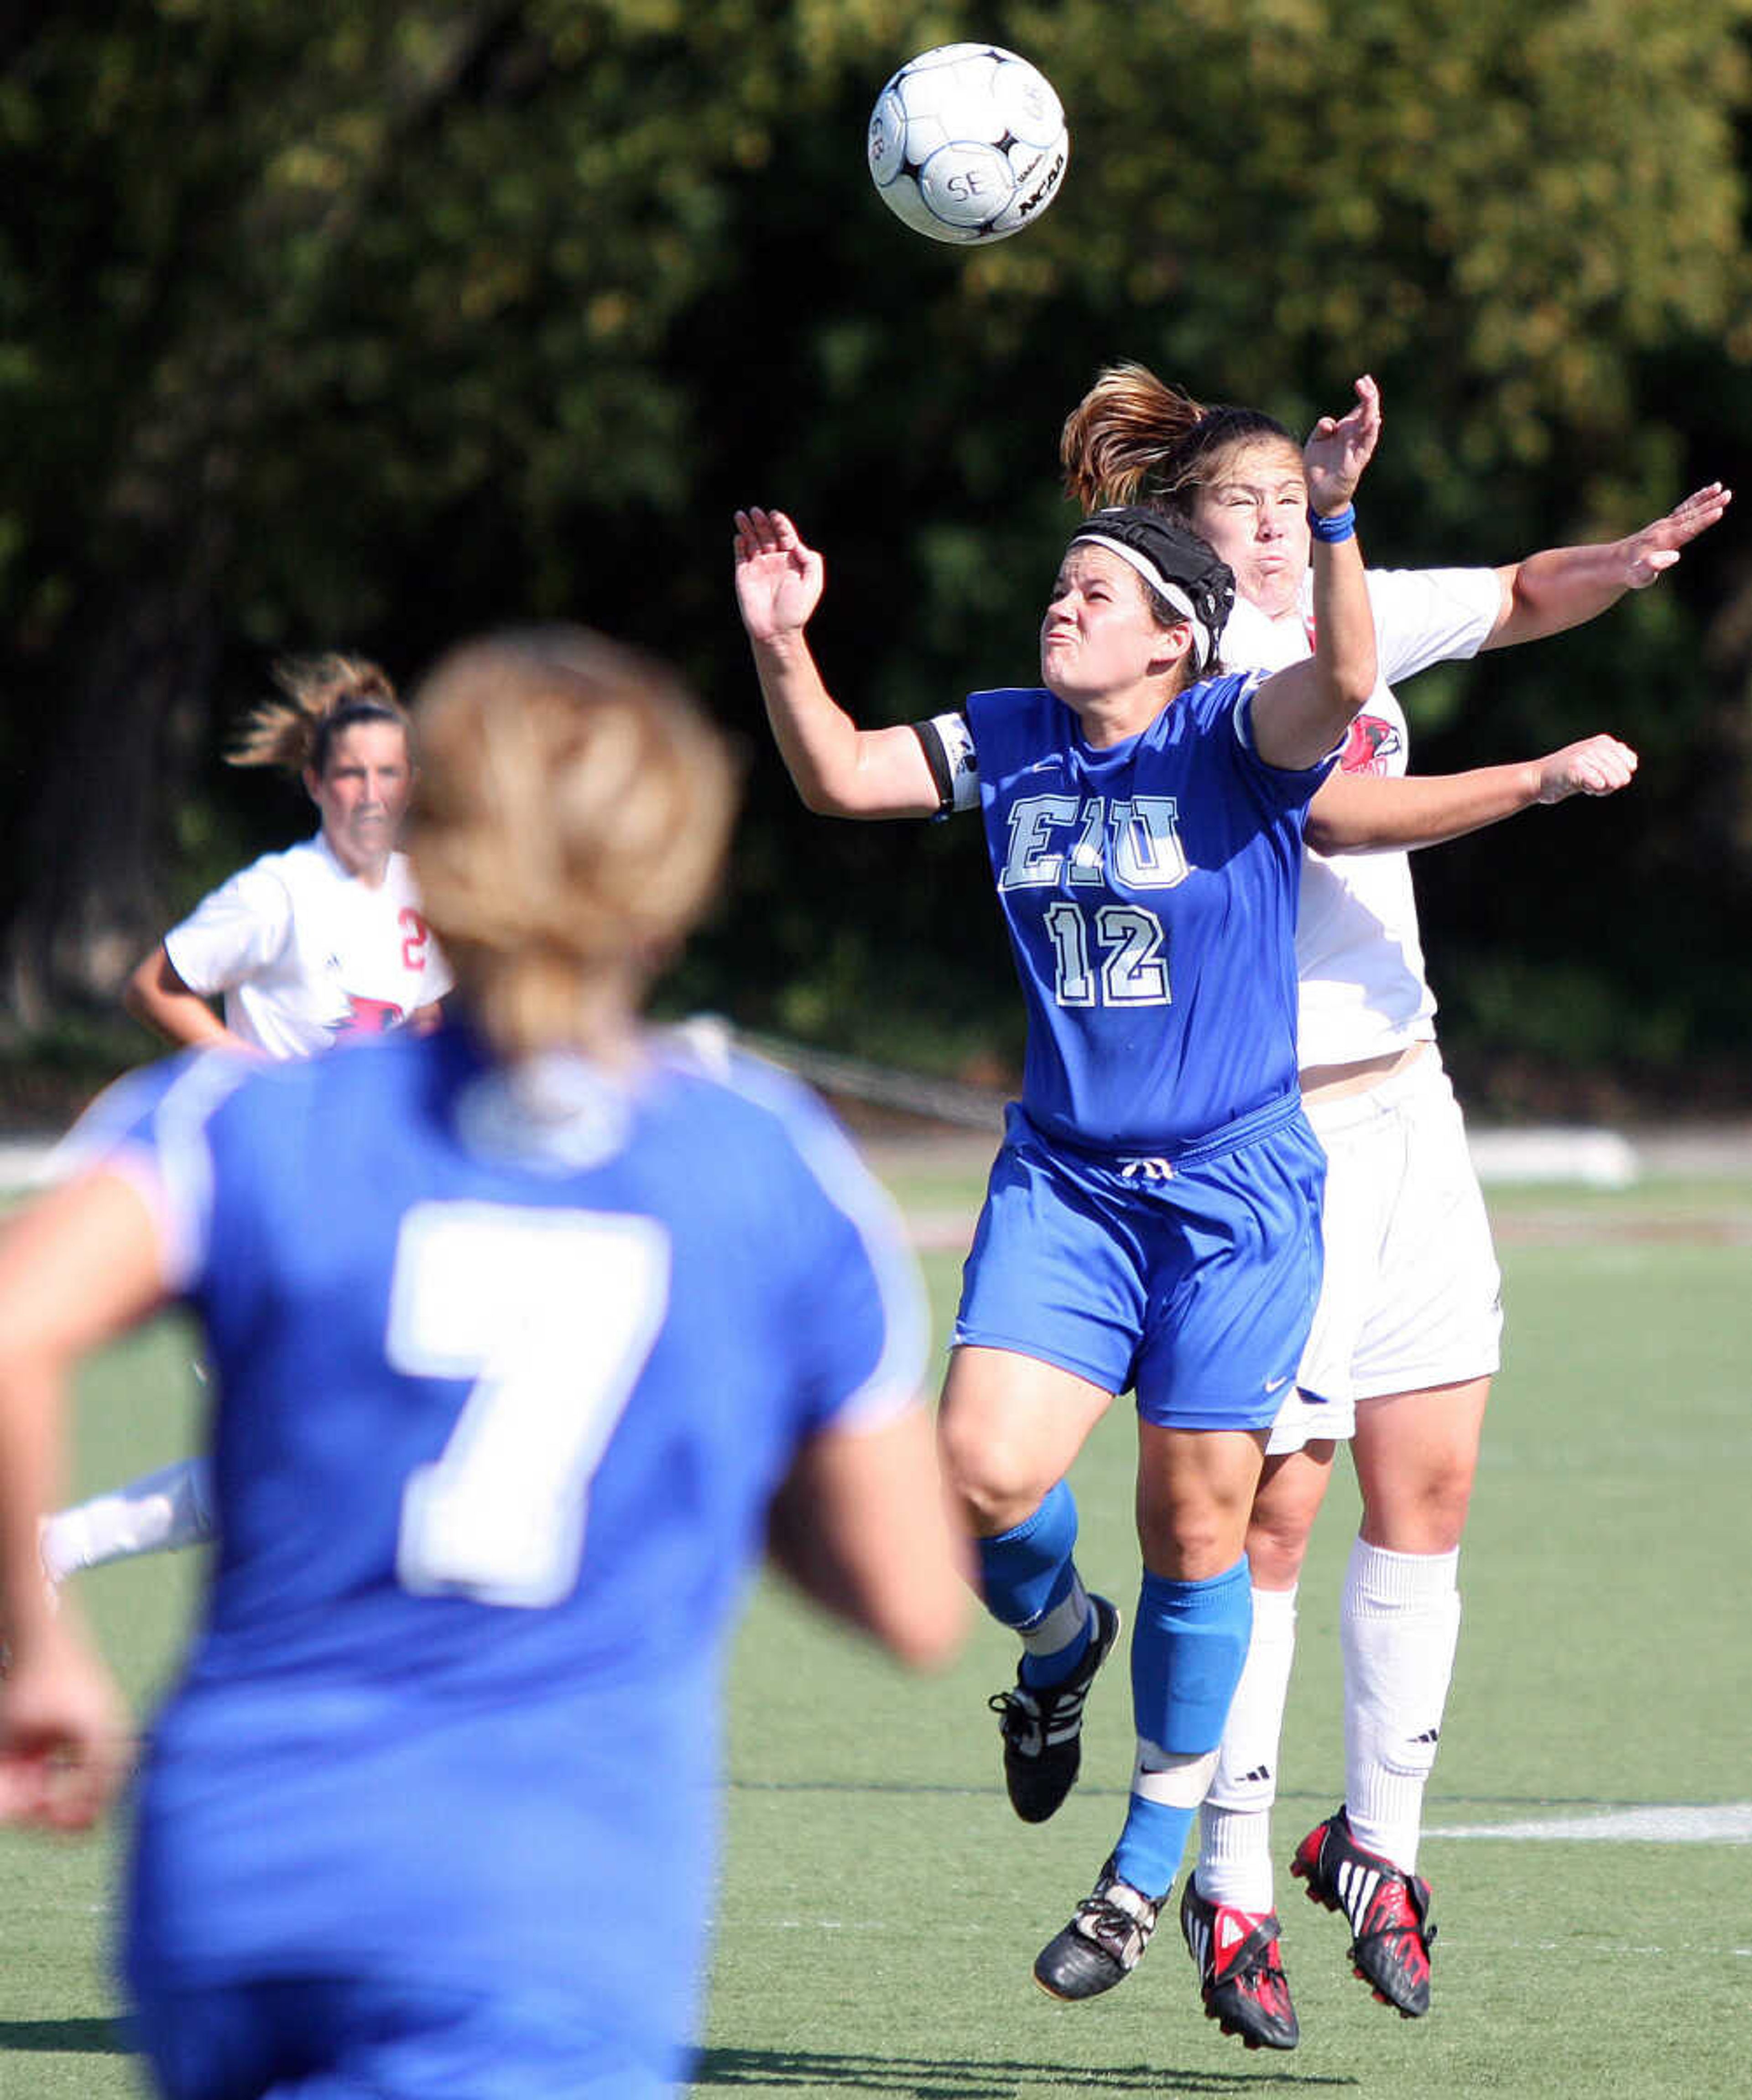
<point>839,770</point>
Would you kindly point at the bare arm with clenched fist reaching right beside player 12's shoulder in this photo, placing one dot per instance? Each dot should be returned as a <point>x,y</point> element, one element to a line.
<point>1360,814</point>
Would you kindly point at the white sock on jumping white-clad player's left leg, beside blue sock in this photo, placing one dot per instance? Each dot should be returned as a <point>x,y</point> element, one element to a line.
<point>1234,1864</point>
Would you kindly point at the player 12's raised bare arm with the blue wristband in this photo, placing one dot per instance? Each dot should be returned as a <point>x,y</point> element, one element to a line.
<point>1301,713</point>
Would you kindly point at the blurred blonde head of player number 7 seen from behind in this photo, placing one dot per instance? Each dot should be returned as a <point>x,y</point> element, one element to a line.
<point>572,824</point>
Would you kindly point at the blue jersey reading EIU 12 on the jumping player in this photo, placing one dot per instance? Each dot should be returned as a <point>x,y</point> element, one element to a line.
<point>1150,896</point>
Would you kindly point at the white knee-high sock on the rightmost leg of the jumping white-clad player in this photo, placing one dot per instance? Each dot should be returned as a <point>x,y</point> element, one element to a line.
<point>1400,1626</point>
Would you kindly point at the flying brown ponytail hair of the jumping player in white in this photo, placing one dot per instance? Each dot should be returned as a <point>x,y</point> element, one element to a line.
<point>1138,440</point>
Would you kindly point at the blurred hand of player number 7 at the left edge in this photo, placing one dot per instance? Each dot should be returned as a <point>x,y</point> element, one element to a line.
<point>64,1734</point>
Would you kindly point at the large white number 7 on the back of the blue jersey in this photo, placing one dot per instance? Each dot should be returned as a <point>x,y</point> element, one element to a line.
<point>551,1316</point>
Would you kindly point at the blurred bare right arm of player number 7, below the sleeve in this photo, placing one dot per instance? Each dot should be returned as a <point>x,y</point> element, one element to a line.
<point>862,1526</point>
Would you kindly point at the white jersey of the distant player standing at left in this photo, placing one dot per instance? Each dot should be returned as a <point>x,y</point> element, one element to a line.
<point>304,952</point>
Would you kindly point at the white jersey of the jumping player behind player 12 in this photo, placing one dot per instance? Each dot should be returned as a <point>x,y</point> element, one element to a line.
<point>1358,954</point>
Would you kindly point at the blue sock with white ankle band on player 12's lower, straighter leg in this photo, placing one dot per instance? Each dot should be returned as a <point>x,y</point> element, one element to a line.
<point>1188,1652</point>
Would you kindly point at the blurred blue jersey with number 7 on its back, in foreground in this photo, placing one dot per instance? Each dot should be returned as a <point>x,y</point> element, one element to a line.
<point>507,1370</point>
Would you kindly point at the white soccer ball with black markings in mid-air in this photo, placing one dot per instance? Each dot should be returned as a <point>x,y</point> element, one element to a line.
<point>967,144</point>
